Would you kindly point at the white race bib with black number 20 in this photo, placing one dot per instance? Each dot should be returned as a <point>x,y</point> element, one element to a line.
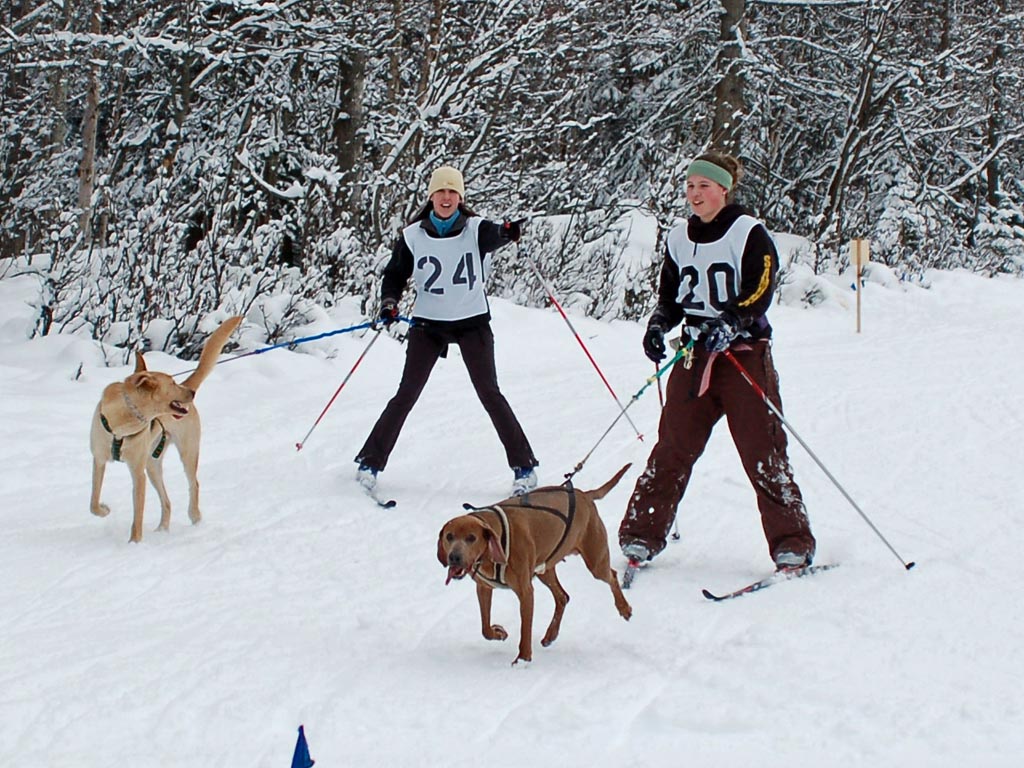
<point>710,273</point>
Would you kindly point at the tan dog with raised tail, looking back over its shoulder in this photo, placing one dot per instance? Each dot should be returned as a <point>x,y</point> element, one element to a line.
<point>136,420</point>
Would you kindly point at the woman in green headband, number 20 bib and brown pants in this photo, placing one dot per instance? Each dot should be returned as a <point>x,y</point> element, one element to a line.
<point>718,280</point>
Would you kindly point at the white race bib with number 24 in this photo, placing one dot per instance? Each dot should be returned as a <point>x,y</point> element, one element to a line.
<point>449,273</point>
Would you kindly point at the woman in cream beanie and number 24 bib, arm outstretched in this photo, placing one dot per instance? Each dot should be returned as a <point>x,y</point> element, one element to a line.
<point>446,249</point>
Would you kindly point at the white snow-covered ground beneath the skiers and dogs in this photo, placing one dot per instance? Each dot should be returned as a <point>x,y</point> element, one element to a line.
<point>298,602</point>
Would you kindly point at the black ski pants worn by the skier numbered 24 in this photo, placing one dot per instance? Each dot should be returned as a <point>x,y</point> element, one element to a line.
<point>424,347</point>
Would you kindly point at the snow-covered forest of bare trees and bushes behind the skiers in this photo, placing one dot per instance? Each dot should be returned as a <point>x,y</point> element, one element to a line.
<point>163,161</point>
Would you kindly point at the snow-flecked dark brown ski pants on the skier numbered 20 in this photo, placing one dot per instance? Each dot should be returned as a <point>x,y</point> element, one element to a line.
<point>688,421</point>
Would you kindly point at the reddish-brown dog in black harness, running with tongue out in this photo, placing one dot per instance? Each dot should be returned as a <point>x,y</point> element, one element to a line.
<point>505,546</point>
